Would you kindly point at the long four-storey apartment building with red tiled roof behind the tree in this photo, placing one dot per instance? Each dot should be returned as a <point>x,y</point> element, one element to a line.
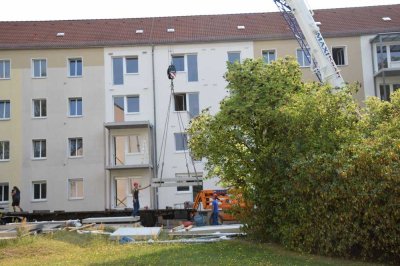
<point>86,107</point>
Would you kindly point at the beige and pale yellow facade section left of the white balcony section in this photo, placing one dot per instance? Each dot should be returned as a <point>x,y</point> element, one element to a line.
<point>55,180</point>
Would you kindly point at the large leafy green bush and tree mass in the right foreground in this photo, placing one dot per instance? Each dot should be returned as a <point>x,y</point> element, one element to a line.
<point>322,175</point>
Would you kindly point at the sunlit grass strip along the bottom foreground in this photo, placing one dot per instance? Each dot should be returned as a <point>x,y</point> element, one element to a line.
<point>70,248</point>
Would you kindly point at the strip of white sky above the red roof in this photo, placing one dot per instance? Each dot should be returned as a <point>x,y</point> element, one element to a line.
<point>23,10</point>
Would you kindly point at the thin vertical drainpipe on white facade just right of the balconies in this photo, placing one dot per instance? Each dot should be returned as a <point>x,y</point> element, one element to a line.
<point>155,171</point>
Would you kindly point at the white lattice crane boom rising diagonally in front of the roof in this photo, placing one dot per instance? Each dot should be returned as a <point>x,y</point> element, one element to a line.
<point>301,22</point>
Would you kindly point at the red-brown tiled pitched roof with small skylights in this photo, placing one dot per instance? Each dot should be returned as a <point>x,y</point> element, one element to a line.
<point>338,22</point>
